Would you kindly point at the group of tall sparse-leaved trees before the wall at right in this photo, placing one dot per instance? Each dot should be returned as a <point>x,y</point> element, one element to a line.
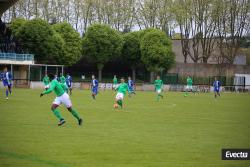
<point>212,24</point>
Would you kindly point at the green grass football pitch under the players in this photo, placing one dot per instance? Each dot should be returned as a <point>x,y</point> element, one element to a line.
<point>175,132</point>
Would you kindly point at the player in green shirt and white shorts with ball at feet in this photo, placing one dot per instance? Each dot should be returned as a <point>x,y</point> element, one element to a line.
<point>121,92</point>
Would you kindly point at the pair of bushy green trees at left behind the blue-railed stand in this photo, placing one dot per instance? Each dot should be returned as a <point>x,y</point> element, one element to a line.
<point>57,43</point>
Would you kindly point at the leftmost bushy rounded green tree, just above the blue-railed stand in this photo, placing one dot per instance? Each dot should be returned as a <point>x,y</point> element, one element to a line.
<point>38,37</point>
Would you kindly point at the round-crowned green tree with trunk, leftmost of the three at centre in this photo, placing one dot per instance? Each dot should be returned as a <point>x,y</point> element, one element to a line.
<point>101,43</point>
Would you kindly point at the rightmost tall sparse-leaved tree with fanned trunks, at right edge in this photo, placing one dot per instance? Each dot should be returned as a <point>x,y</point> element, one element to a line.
<point>231,23</point>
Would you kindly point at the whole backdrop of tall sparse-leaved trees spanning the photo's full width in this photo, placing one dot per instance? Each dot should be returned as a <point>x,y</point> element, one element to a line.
<point>204,25</point>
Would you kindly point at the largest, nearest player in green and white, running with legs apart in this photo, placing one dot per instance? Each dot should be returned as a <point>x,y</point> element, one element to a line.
<point>61,98</point>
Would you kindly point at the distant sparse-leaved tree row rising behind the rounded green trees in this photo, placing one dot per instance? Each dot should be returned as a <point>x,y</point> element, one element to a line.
<point>123,15</point>
